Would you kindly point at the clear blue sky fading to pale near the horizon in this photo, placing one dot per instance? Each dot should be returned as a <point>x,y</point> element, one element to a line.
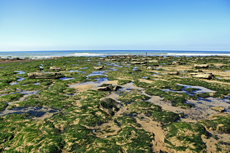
<point>114,25</point>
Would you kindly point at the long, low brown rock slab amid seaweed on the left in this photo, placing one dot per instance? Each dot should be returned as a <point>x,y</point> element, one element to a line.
<point>42,75</point>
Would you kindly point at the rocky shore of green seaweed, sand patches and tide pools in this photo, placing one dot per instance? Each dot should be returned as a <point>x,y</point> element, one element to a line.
<point>156,98</point>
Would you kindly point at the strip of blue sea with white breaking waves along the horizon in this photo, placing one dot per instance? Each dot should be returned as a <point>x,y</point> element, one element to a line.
<point>103,53</point>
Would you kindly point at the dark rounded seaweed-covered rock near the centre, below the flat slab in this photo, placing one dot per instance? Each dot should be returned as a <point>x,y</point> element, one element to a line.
<point>109,105</point>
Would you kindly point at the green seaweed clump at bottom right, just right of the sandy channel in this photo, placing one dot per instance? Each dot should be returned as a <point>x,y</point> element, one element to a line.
<point>183,136</point>
